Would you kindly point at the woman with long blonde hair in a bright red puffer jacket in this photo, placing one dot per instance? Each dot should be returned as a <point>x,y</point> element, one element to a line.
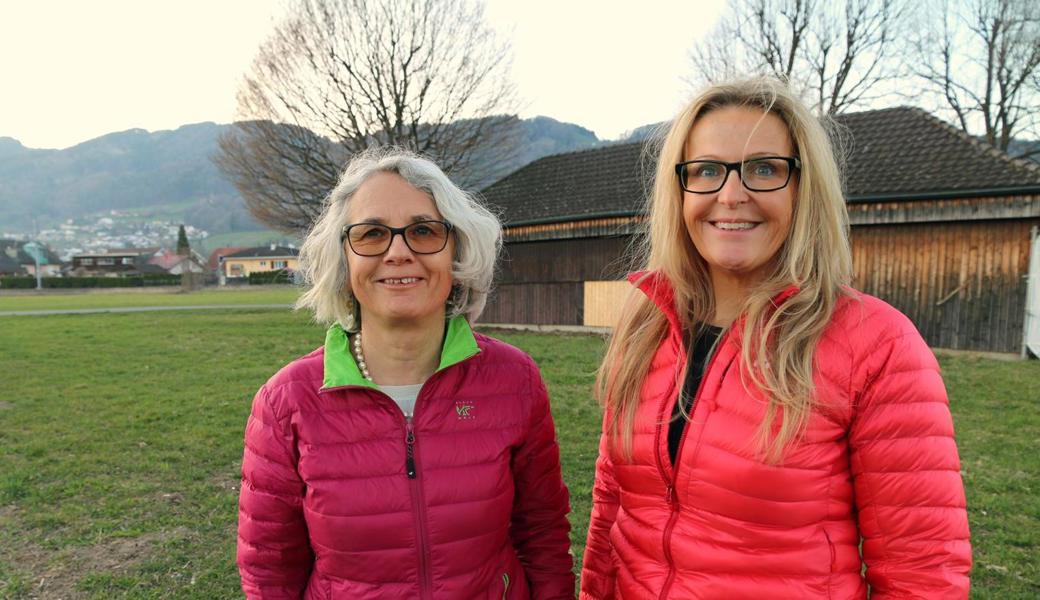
<point>768,431</point>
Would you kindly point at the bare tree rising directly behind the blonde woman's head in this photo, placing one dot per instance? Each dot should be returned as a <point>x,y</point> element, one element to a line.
<point>840,56</point>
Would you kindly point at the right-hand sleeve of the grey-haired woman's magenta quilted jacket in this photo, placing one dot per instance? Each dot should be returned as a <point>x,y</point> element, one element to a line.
<point>539,528</point>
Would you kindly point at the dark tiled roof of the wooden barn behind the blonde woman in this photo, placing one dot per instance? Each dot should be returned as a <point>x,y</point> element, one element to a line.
<point>899,153</point>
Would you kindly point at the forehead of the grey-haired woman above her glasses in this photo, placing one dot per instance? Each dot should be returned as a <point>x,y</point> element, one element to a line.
<point>386,197</point>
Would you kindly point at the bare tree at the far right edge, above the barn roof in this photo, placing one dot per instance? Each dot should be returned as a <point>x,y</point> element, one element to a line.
<point>982,63</point>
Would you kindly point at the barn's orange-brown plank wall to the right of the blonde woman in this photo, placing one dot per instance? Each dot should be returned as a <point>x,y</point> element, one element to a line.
<point>964,284</point>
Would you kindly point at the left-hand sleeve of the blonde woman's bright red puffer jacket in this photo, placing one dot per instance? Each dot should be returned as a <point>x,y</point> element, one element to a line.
<point>597,568</point>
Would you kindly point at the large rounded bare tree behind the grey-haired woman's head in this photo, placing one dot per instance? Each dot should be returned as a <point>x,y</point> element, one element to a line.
<point>341,76</point>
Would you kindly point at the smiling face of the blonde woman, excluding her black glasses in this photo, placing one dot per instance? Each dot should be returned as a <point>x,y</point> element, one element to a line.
<point>739,232</point>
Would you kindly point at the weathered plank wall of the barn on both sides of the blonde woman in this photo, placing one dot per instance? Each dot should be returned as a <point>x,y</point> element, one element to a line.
<point>963,284</point>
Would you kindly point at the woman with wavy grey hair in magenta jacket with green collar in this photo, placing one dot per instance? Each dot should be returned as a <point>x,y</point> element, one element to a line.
<point>410,457</point>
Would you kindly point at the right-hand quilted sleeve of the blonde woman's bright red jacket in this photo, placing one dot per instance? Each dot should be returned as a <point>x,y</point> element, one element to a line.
<point>906,473</point>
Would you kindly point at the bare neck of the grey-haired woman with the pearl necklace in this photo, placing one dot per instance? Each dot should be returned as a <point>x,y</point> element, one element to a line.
<point>402,354</point>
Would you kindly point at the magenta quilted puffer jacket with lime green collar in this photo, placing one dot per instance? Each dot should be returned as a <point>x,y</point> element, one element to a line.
<point>343,499</point>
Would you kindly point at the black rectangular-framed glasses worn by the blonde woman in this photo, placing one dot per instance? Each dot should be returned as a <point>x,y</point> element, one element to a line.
<point>761,174</point>
